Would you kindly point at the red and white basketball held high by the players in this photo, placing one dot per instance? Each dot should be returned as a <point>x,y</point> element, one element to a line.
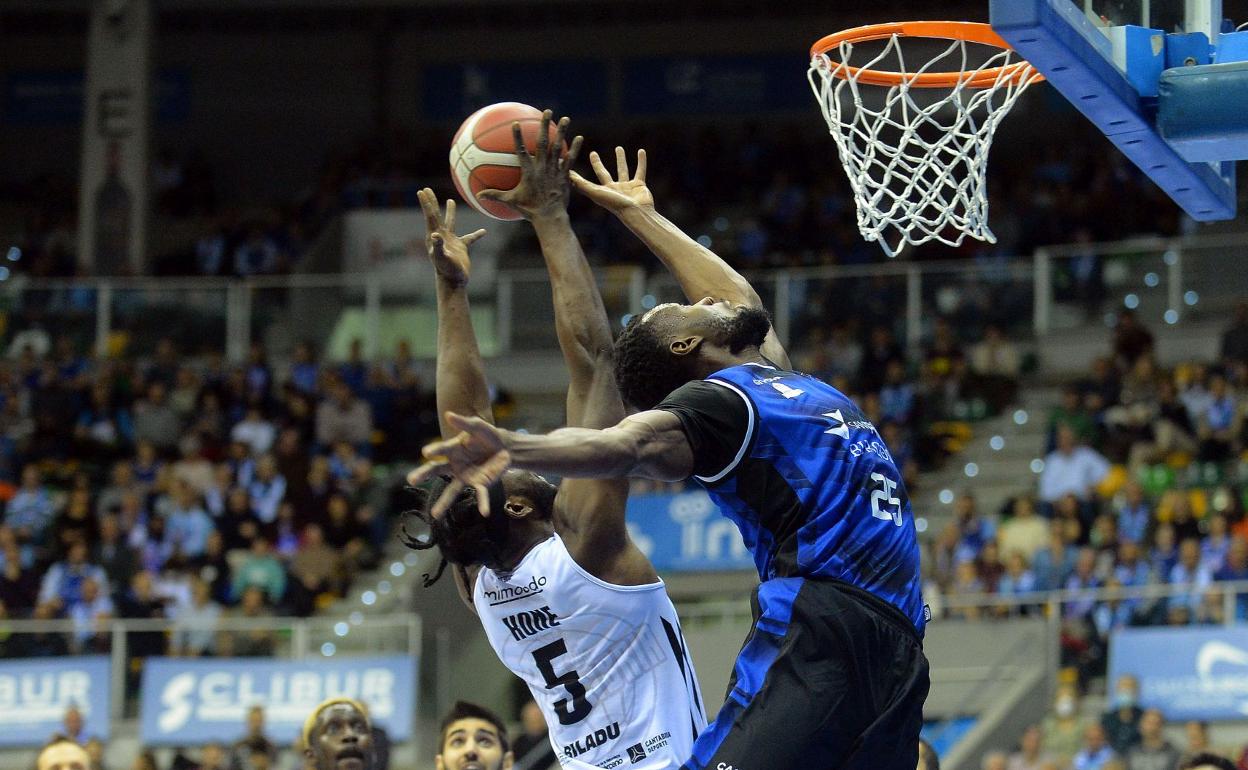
<point>484,154</point>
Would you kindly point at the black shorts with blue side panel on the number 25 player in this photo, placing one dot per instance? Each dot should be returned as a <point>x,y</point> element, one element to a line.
<point>831,677</point>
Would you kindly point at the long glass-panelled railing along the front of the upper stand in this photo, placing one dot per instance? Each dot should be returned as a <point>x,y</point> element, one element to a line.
<point>1164,278</point>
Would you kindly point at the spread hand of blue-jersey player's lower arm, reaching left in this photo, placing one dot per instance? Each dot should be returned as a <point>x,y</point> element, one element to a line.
<point>475,457</point>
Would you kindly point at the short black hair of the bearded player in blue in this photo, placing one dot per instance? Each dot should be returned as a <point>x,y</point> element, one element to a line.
<point>646,369</point>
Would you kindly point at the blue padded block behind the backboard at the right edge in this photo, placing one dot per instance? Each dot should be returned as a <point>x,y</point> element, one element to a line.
<point>1202,112</point>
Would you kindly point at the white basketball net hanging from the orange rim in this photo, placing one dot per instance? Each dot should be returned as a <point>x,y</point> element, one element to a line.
<point>918,160</point>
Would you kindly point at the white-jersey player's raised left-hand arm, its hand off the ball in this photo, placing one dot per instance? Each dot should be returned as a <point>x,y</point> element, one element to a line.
<point>461,374</point>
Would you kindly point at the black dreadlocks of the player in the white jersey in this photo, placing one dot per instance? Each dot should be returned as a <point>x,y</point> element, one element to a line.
<point>464,536</point>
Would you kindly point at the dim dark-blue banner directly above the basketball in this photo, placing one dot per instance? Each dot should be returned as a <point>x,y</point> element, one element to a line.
<point>454,92</point>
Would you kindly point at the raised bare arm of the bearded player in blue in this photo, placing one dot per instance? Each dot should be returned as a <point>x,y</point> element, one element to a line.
<point>700,271</point>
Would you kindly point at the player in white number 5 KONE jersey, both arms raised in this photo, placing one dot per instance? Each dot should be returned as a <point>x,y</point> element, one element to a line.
<point>567,600</point>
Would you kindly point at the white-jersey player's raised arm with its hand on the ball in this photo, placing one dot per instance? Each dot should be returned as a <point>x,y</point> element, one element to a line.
<point>590,514</point>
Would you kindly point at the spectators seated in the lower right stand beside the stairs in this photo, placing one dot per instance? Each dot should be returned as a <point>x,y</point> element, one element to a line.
<point>1144,485</point>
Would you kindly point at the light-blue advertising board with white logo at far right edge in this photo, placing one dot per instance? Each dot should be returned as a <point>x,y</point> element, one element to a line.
<point>1189,673</point>
